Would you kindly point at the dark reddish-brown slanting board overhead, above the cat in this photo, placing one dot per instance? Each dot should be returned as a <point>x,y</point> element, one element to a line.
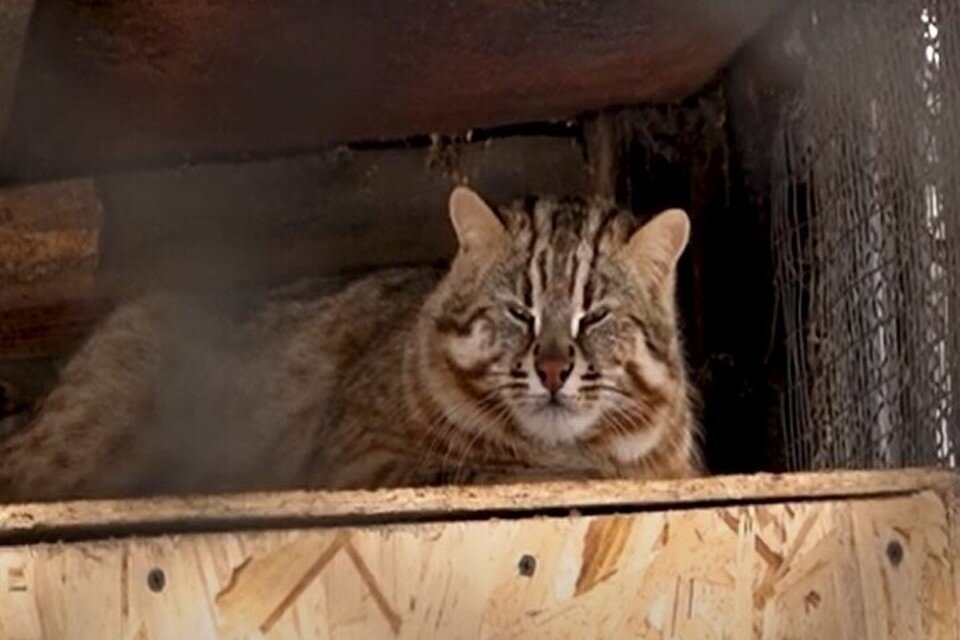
<point>163,79</point>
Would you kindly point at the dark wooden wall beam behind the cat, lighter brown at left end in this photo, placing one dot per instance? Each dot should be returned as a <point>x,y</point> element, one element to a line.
<point>214,228</point>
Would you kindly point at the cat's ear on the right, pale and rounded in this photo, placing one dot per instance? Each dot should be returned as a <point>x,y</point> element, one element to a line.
<point>657,245</point>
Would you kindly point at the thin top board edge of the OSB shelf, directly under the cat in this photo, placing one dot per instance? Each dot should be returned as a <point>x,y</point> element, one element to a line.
<point>91,518</point>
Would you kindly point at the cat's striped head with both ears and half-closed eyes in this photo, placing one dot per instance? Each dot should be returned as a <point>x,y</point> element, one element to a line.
<point>557,316</point>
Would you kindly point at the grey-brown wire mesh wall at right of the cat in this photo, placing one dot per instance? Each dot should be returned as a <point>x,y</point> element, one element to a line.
<point>866,232</point>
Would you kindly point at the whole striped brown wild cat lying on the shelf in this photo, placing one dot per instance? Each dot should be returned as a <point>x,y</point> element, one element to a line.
<point>549,349</point>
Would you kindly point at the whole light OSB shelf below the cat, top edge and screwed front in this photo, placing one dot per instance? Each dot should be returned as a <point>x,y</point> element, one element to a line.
<point>846,555</point>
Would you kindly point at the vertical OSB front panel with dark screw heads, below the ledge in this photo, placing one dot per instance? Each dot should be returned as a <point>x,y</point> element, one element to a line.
<point>860,569</point>
